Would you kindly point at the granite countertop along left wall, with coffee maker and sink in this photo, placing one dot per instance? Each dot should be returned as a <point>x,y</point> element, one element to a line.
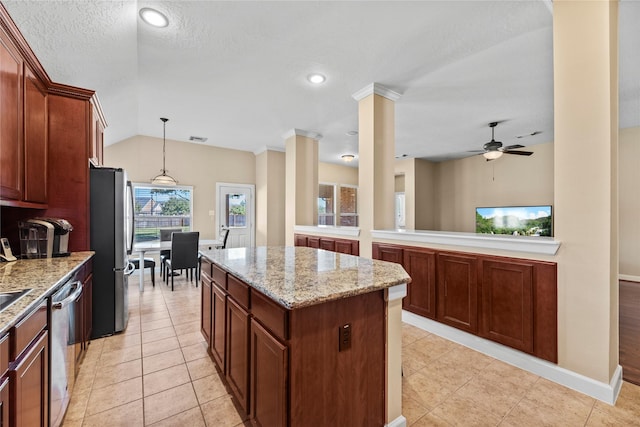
<point>41,275</point>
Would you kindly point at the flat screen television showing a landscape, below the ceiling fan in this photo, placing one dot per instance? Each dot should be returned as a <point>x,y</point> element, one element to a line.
<point>515,220</point>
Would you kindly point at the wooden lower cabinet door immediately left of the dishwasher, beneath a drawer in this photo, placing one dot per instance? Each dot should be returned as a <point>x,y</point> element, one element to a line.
<point>29,383</point>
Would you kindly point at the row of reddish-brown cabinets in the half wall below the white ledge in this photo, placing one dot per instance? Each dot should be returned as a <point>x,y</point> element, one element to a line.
<point>511,301</point>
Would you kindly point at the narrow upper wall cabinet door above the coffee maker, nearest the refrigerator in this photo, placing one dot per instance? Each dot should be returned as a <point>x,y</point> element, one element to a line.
<point>35,139</point>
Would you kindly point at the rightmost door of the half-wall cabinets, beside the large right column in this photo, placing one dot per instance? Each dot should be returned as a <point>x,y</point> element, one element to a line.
<point>506,314</point>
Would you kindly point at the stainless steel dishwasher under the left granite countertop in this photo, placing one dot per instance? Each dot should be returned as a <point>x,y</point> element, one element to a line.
<point>63,356</point>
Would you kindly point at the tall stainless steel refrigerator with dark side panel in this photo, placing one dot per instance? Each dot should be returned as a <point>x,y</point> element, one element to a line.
<point>111,201</point>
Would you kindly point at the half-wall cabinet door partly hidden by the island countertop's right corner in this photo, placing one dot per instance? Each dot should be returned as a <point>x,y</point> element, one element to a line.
<point>421,292</point>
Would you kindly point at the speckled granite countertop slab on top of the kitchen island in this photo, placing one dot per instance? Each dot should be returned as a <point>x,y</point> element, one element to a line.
<point>296,276</point>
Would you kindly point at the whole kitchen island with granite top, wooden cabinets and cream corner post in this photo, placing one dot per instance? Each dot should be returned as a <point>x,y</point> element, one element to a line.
<point>306,336</point>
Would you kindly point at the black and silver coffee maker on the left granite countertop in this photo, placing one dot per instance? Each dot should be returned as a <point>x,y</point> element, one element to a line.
<point>44,237</point>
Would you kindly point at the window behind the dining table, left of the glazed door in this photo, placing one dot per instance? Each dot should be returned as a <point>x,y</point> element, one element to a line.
<point>157,207</point>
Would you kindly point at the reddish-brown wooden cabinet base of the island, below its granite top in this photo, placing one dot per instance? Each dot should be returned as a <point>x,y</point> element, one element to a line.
<point>285,367</point>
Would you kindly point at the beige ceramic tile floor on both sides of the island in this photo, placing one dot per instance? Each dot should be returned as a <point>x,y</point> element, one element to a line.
<point>158,373</point>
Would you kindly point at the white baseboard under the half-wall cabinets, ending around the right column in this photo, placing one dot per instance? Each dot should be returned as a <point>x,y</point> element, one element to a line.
<point>607,393</point>
